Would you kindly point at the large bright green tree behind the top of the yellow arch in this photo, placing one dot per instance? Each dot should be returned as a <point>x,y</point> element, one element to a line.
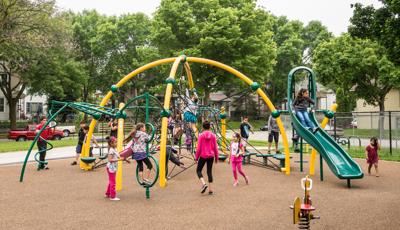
<point>233,32</point>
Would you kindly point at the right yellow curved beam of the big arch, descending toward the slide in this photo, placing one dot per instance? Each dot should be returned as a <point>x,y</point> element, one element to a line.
<point>263,96</point>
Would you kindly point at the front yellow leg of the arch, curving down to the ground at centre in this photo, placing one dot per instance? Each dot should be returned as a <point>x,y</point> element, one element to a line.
<point>164,122</point>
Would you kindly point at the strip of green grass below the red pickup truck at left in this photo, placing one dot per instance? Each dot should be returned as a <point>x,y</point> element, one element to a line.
<point>11,146</point>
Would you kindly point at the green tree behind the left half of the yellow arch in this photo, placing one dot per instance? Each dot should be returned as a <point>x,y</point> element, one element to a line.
<point>126,43</point>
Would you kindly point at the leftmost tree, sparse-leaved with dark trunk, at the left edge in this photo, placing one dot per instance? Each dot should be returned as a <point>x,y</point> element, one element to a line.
<point>31,32</point>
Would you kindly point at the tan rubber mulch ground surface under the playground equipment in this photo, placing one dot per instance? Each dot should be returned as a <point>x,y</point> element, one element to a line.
<point>66,197</point>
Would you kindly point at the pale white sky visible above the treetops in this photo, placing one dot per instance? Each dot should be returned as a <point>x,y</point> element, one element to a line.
<point>334,14</point>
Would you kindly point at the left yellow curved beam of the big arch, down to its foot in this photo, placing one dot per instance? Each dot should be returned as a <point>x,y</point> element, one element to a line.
<point>86,146</point>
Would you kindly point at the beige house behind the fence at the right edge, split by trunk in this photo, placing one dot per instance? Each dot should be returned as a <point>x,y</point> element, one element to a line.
<point>367,116</point>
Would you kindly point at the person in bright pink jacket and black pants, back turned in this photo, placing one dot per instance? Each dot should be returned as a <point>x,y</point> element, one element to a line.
<point>207,152</point>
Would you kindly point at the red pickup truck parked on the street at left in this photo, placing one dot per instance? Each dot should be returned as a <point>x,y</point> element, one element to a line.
<point>29,133</point>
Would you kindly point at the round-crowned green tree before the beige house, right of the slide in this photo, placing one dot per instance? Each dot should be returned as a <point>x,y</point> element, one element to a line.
<point>359,68</point>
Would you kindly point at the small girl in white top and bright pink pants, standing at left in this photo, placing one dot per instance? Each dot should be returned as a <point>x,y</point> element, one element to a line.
<point>112,167</point>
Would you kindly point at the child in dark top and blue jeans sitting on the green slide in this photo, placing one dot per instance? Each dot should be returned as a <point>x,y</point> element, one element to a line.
<point>301,103</point>
